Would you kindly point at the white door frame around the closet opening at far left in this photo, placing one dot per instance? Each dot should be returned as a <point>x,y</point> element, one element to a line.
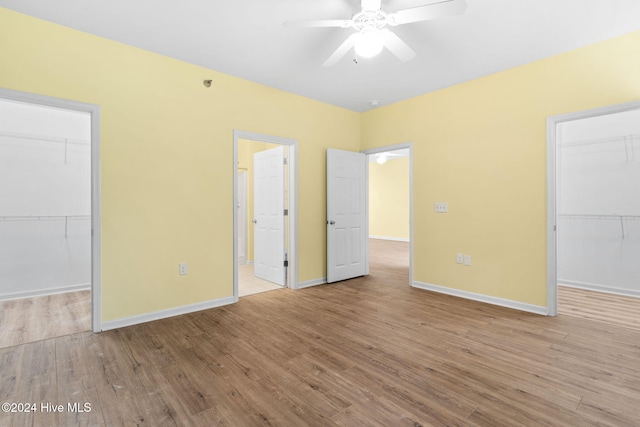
<point>94,112</point>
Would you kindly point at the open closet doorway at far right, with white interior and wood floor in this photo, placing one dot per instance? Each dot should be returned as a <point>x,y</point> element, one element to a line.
<point>594,212</point>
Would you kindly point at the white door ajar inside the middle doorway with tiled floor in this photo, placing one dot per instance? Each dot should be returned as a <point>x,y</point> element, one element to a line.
<point>268,208</point>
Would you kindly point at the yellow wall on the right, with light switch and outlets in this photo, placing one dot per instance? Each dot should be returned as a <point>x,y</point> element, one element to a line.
<point>480,146</point>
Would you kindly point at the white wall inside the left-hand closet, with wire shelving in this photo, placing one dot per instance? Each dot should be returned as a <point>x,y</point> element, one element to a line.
<point>45,199</point>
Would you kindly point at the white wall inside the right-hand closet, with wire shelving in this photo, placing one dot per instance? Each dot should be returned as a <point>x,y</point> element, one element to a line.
<point>599,203</point>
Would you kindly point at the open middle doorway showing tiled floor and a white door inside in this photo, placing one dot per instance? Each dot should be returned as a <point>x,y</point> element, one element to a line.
<point>265,233</point>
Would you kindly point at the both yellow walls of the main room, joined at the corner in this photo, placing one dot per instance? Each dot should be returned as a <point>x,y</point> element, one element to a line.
<point>167,170</point>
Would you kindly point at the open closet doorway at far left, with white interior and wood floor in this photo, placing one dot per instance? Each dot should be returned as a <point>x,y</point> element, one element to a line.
<point>48,220</point>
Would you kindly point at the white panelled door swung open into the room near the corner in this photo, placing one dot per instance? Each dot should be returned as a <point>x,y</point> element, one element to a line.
<point>346,215</point>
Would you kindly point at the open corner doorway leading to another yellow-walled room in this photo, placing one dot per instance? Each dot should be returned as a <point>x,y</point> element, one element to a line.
<point>389,175</point>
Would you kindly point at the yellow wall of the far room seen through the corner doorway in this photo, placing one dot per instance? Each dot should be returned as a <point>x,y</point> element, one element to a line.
<point>389,199</point>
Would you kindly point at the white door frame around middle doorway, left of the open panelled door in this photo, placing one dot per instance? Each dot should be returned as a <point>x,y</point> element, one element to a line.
<point>292,273</point>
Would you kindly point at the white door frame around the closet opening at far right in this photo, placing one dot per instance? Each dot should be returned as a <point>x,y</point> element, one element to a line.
<point>552,180</point>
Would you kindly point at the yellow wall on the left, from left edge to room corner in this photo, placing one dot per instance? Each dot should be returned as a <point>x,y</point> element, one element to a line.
<point>166,158</point>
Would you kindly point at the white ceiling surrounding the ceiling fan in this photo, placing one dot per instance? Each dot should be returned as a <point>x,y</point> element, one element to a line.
<point>245,38</point>
